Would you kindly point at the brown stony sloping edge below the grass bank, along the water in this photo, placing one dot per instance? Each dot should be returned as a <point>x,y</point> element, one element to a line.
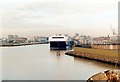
<point>95,57</point>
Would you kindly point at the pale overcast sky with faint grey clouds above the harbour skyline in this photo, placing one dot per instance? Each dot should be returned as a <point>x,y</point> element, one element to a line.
<point>91,17</point>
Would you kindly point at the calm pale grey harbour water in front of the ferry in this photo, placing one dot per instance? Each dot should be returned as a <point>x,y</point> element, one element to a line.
<point>37,62</point>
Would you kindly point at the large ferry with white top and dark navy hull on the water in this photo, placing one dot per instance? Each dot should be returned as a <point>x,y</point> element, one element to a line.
<point>60,42</point>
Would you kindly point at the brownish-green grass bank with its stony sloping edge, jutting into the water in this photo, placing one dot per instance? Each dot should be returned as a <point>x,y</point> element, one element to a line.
<point>106,56</point>
